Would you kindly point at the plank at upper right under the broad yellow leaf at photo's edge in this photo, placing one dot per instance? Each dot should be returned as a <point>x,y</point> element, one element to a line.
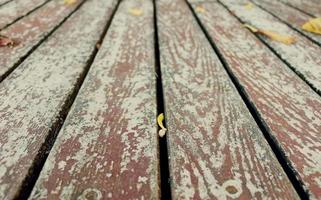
<point>289,15</point>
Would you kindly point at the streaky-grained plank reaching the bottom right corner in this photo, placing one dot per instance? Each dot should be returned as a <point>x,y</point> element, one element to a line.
<point>288,107</point>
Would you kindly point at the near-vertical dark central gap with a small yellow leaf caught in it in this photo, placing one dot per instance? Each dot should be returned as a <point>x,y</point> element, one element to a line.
<point>165,184</point>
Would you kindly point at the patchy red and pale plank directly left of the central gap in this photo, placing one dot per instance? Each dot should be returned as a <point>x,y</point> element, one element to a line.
<point>108,146</point>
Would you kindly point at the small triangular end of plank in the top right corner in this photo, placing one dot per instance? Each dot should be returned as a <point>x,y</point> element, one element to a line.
<point>313,7</point>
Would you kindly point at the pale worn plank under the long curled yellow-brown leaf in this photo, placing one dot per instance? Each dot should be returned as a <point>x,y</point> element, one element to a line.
<point>303,56</point>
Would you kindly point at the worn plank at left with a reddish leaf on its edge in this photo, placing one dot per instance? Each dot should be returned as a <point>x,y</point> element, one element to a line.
<point>30,30</point>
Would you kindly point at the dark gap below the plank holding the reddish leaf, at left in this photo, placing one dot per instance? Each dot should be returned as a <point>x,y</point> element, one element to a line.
<point>28,53</point>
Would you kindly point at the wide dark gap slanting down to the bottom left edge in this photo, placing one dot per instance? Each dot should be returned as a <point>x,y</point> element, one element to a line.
<point>40,159</point>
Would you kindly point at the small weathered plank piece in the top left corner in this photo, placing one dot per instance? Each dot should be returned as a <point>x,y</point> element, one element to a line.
<point>16,9</point>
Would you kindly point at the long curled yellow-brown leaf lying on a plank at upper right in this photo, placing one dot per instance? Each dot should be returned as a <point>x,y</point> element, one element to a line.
<point>286,39</point>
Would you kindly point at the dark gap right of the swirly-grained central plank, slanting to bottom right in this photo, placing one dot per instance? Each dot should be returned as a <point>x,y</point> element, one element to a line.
<point>270,138</point>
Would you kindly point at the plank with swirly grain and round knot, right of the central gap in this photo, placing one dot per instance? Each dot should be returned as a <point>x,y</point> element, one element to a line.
<point>216,149</point>
